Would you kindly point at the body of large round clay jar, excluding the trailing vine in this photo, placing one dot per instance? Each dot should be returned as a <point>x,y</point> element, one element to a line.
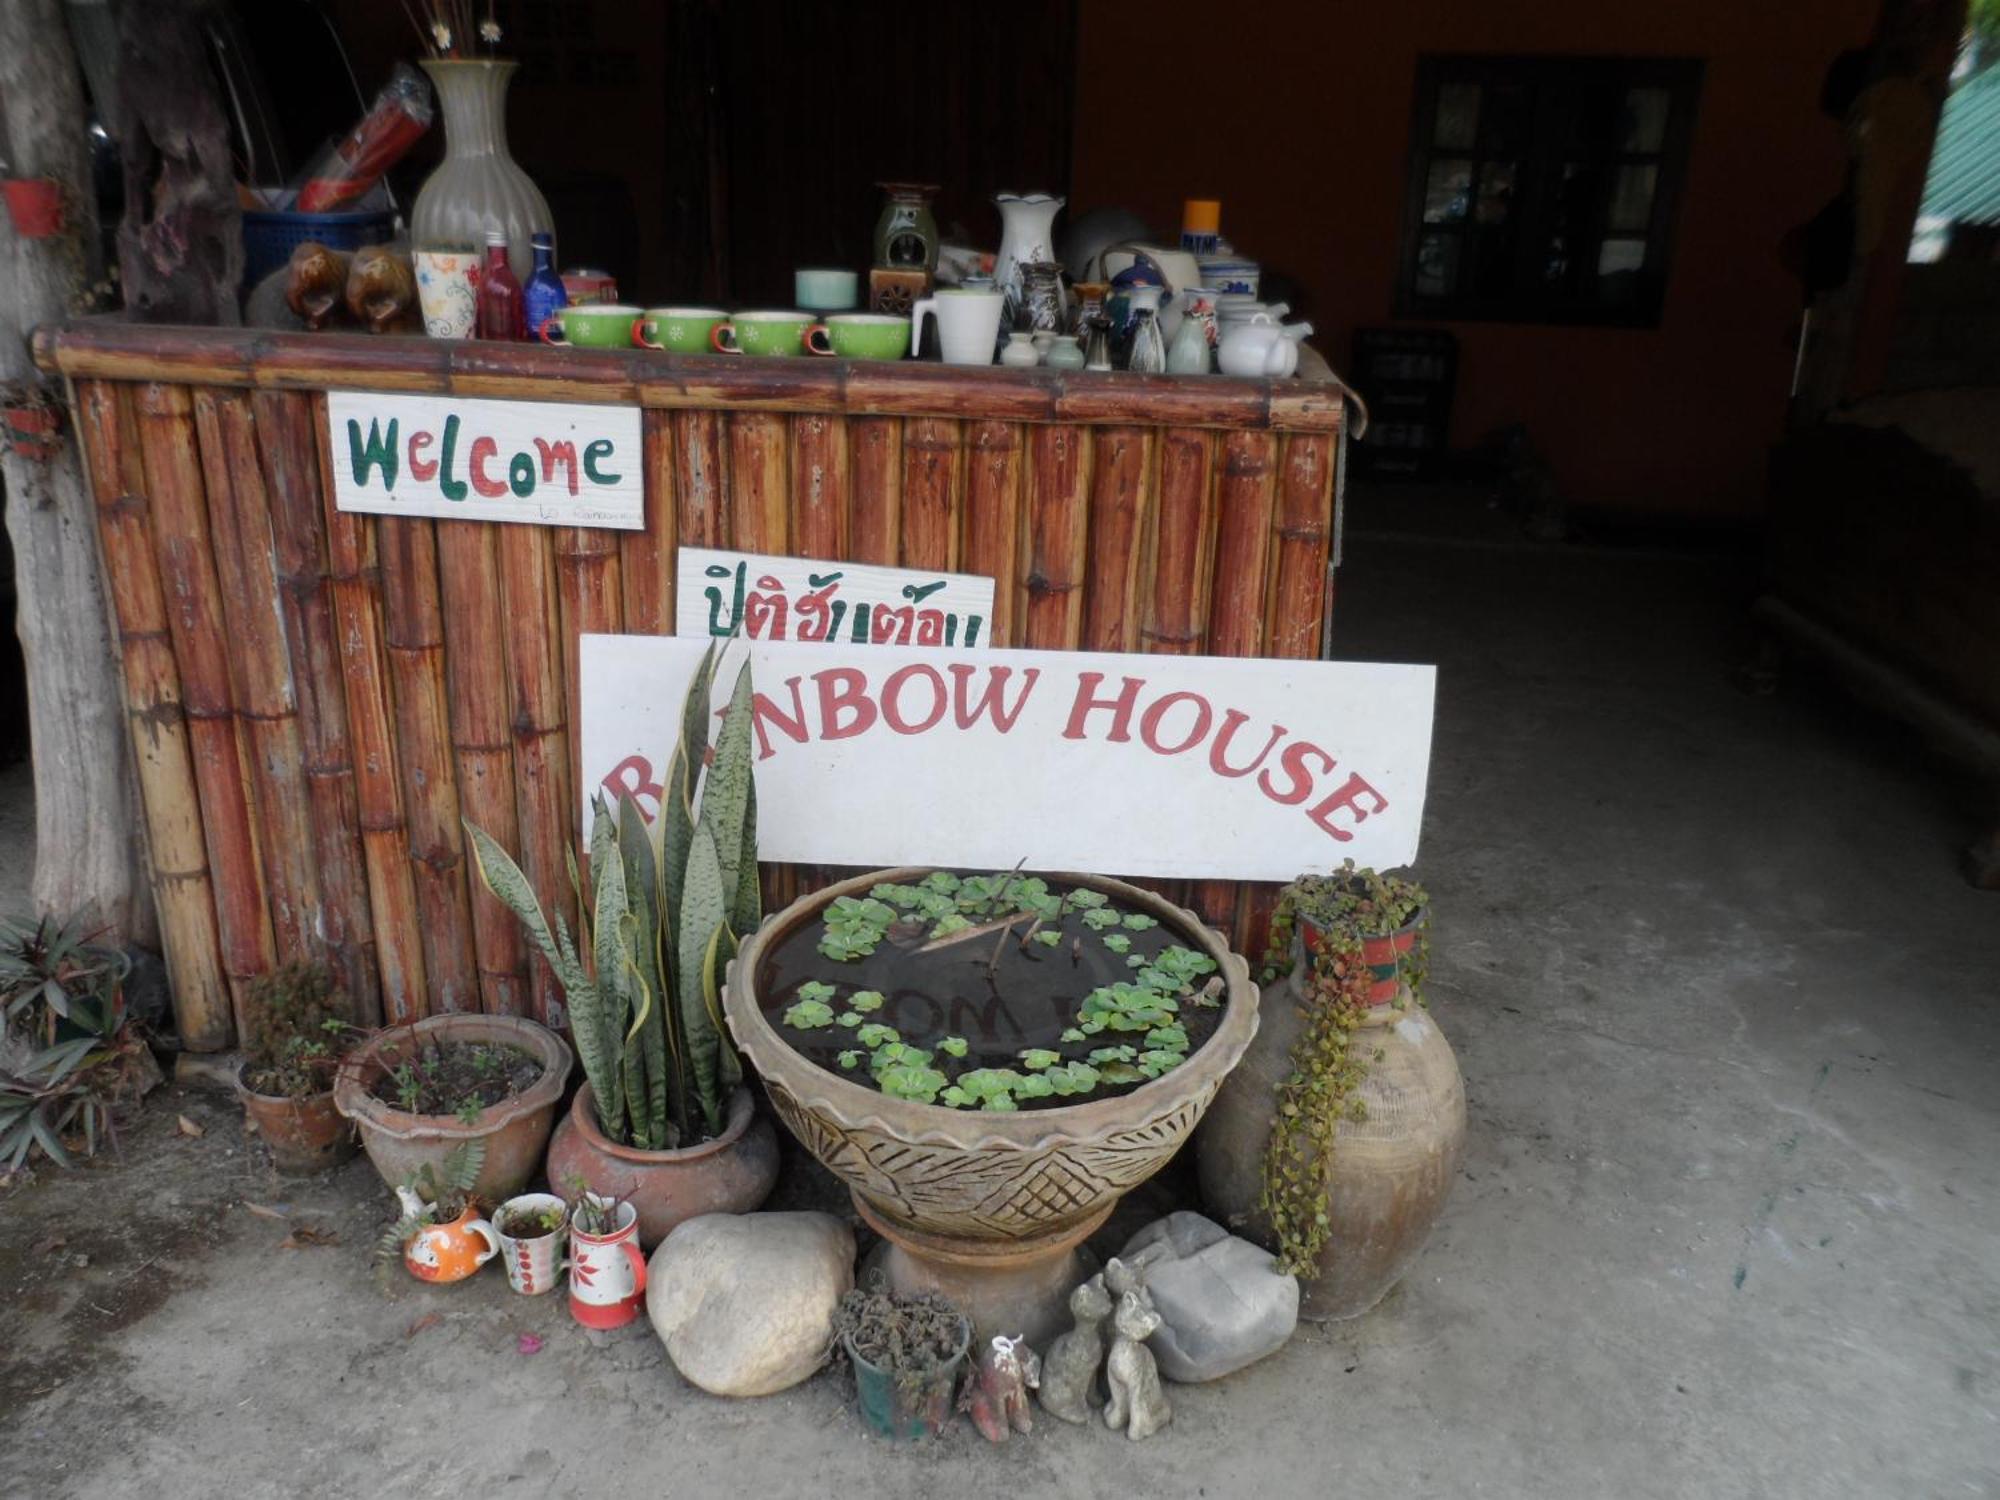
<point>1393,1171</point>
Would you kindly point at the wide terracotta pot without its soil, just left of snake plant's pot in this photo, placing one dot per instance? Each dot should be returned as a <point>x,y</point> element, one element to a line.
<point>515,1131</point>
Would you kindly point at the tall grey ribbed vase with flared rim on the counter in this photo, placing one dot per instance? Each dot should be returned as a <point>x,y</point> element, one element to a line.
<point>477,187</point>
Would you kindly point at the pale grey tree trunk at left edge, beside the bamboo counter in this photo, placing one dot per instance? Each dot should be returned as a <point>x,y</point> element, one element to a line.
<point>85,807</point>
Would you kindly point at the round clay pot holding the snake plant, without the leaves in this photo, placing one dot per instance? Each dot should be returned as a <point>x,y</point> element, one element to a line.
<point>729,1175</point>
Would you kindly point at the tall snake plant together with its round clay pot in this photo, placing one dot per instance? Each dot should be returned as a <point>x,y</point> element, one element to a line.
<point>663,1119</point>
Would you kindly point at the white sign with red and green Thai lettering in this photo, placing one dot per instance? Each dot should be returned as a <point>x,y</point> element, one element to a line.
<point>851,603</point>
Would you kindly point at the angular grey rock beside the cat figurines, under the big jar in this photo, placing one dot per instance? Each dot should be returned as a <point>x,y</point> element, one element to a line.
<point>1223,1301</point>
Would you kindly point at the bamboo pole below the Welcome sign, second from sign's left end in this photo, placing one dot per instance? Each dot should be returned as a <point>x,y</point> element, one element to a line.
<point>413,631</point>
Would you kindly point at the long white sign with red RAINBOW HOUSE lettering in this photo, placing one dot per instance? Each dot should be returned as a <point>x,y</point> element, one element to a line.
<point>1209,767</point>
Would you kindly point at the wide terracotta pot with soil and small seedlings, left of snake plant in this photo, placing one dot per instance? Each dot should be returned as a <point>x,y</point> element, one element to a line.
<point>421,1091</point>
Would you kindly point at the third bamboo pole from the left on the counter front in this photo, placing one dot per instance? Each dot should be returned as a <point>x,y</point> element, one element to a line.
<point>261,671</point>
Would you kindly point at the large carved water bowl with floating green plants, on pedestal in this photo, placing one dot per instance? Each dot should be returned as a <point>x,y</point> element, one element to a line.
<point>989,1061</point>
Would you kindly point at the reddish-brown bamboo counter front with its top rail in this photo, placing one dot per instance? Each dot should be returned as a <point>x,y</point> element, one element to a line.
<point>321,699</point>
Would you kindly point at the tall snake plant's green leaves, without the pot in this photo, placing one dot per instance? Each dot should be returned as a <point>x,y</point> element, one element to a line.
<point>671,905</point>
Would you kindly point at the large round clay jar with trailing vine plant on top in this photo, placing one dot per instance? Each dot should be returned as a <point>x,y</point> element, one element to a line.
<point>1337,1141</point>
